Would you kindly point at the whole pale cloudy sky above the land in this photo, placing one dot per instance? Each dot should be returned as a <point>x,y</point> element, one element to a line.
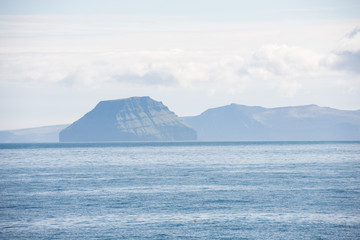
<point>58,59</point>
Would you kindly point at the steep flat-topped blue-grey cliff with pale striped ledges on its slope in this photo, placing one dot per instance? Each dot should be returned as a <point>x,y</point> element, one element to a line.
<point>131,119</point>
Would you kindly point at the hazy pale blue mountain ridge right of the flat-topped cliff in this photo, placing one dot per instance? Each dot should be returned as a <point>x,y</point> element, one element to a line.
<point>236,122</point>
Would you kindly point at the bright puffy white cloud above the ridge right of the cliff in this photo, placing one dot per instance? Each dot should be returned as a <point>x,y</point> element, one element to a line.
<point>286,69</point>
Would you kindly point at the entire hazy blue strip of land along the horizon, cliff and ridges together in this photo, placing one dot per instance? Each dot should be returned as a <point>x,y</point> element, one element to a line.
<point>144,119</point>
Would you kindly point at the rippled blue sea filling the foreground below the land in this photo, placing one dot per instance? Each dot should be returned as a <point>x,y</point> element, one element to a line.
<point>274,190</point>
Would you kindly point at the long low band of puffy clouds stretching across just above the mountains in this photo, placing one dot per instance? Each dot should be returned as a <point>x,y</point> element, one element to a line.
<point>288,70</point>
